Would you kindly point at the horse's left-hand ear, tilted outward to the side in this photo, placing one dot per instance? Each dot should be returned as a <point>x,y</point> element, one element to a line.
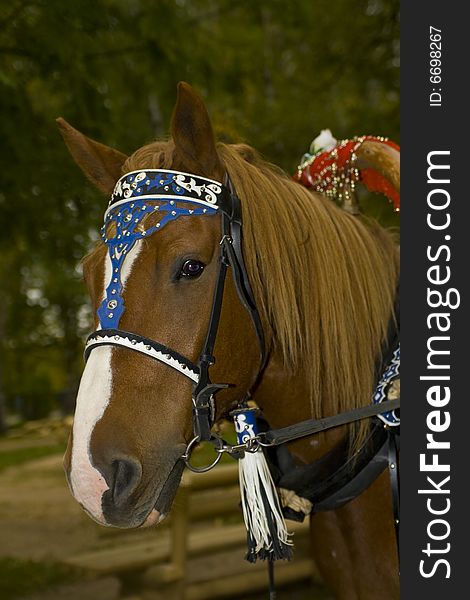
<point>101,164</point>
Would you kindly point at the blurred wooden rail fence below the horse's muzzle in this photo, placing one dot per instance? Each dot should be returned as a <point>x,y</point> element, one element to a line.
<point>174,561</point>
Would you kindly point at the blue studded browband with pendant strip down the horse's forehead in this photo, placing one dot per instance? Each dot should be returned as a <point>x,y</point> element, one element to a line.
<point>138,194</point>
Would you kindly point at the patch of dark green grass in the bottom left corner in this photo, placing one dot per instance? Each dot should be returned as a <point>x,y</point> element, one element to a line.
<point>20,577</point>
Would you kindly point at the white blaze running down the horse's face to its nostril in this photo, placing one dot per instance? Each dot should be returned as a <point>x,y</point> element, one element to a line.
<point>94,394</point>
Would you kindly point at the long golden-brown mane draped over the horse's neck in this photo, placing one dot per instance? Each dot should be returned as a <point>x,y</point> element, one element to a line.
<point>324,280</point>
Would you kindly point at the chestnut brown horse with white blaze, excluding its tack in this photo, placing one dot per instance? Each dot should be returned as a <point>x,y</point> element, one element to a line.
<point>324,283</point>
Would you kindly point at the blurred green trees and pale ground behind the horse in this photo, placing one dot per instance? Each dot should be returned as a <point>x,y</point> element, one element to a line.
<point>272,73</point>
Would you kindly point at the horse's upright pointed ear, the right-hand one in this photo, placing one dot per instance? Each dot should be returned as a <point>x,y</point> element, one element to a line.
<point>193,136</point>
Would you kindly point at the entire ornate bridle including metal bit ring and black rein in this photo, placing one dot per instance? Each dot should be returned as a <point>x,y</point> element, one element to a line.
<point>134,197</point>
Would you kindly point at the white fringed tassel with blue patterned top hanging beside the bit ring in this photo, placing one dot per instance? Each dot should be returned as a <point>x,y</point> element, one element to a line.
<point>267,533</point>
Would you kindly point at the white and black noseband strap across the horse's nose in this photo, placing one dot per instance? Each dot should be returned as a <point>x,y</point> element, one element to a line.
<point>106,337</point>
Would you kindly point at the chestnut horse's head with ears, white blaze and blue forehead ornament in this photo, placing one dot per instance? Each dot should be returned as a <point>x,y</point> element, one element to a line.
<point>133,416</point>
